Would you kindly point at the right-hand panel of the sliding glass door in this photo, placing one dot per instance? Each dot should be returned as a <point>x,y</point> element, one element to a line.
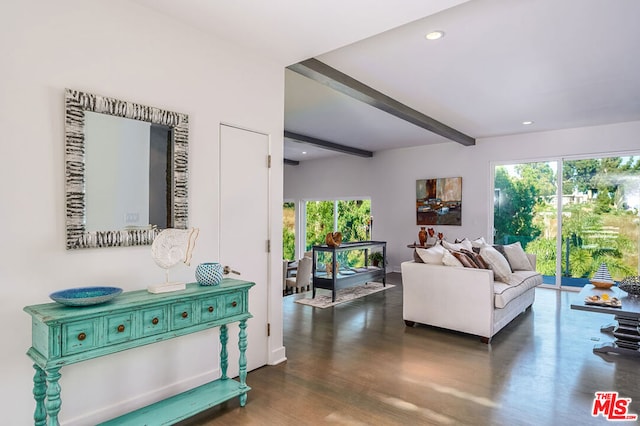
<point>600,217</point>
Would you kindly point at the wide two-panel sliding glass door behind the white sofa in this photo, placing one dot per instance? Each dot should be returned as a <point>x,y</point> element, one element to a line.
<point>574,224</point>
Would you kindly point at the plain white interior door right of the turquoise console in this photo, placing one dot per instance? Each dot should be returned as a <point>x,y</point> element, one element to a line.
<point>244,228</point>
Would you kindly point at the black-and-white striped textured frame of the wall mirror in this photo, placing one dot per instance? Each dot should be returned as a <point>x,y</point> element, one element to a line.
<point>76,104</point>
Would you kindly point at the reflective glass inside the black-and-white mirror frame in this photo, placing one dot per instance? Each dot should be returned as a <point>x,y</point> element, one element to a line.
<point>127,163</point>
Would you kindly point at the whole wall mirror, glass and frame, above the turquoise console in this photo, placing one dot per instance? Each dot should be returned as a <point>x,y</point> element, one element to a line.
<point>126,171</point>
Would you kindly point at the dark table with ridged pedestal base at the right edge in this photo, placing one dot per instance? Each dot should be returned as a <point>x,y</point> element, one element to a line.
<point>626,329</point>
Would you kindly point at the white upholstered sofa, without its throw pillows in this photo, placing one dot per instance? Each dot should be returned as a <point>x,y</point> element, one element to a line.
<point>465,299</point>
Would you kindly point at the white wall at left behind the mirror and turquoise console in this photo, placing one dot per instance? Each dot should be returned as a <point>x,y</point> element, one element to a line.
<point>122,50</point>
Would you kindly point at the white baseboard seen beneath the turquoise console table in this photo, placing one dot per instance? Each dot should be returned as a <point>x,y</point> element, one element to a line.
<point>114,410</point>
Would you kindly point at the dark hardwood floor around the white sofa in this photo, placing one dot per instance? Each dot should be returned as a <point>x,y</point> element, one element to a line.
<point>357,364</point>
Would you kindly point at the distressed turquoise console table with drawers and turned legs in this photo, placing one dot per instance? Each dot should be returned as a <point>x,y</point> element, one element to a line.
<point>63,335</point>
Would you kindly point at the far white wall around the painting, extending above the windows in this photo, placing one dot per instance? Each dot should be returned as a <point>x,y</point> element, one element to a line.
<point>389,177</point>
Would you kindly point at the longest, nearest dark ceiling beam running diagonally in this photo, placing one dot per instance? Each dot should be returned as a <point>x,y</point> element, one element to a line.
<point>323,73</point>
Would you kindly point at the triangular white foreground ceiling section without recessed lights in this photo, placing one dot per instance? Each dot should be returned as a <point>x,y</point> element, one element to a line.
<point>289,31</point>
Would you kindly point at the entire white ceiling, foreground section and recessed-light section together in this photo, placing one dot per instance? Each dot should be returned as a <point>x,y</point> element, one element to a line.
<point>560,63</point>
